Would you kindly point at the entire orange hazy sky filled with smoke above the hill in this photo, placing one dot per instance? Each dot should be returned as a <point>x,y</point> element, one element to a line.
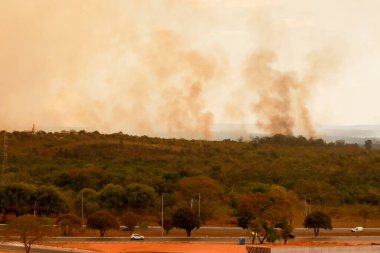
<point>178,68</point>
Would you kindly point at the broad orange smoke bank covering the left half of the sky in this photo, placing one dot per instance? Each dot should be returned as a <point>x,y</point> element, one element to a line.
<point>104,65</point>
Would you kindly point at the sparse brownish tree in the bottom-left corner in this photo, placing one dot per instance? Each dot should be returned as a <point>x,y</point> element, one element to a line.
<point>29,230</point>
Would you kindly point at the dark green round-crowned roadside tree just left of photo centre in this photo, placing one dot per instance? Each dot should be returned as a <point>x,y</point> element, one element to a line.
<point>186,219</point>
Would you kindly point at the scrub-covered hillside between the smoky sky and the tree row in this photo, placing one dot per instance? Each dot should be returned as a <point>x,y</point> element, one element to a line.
<point>77,159</point>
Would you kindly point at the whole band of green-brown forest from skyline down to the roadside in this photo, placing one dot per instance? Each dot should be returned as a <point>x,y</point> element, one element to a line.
<point>120,172</point>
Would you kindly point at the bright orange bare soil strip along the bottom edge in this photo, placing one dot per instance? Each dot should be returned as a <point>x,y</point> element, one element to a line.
<point>185,247</point>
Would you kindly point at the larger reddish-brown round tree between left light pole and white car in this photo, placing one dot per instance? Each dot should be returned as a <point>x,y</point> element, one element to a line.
<point>102,220</point>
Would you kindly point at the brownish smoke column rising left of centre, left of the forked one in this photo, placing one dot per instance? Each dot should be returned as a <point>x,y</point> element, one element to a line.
<point>182,74</point>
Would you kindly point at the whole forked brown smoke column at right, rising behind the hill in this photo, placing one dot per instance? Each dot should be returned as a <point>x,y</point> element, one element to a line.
<point>282,96</point>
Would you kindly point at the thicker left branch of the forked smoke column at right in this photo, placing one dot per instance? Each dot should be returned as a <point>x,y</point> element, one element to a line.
<point>276,91</point>
